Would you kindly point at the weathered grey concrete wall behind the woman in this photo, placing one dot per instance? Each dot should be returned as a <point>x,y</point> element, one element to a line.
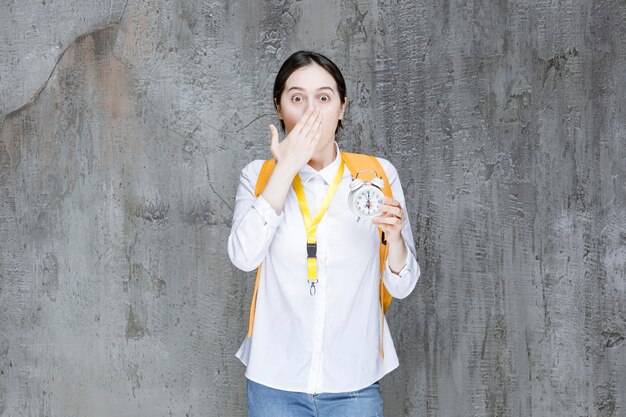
<point>123,131</point>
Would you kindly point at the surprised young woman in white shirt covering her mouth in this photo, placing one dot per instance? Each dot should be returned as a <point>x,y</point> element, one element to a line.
<point>315,350</point>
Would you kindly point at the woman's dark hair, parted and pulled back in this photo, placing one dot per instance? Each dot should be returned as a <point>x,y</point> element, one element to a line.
<point>302,59</point>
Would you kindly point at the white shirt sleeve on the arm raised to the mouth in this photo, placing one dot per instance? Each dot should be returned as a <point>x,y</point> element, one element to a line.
<point>254,222</point>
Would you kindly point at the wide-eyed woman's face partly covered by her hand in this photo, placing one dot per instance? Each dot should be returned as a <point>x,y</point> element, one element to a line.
<point>312,86</point>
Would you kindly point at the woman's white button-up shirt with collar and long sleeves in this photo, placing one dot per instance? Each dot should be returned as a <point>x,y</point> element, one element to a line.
<point>328,342</point>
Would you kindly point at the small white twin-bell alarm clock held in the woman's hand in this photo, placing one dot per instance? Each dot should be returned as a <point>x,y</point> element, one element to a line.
<point>366,198</point>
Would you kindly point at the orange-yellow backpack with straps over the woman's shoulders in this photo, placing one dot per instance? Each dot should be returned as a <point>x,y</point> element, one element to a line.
<point>355,162</point>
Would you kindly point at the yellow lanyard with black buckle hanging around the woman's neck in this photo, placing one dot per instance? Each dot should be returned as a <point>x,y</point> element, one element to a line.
<point>311,224</point>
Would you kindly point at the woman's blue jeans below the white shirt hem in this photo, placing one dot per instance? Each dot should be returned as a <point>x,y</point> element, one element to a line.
<point>264,401</point>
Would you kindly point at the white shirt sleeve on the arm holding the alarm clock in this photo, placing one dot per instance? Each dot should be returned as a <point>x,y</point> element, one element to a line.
<point>400,285</point>
